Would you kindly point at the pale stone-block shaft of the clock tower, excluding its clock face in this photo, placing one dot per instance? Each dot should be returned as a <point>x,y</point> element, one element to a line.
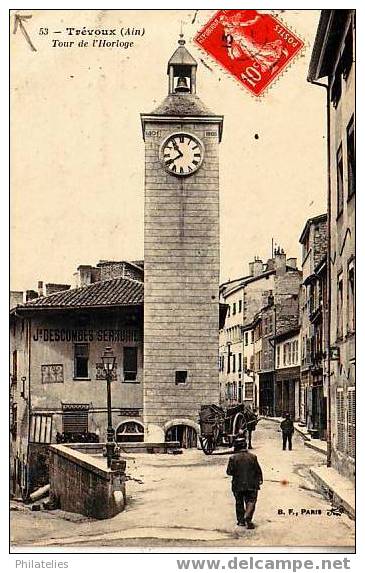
<point>181,301</point>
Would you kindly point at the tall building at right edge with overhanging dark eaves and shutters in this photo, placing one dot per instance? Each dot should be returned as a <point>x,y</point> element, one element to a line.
<point>333,60</point>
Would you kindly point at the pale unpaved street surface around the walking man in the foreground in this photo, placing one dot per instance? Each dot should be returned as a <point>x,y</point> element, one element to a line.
<point>186,500</point>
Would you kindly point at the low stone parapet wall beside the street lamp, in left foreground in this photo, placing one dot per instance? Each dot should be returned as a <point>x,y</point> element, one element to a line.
<point>82,484</point>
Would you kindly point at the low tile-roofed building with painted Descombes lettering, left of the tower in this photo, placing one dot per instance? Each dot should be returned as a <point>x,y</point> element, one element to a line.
<point>57,385</point>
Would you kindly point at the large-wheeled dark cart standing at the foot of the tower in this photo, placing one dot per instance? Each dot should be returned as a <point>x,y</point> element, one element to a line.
<point>219,426</point>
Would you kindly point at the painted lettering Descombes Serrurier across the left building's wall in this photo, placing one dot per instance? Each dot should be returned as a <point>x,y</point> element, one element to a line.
<point>84,335</point>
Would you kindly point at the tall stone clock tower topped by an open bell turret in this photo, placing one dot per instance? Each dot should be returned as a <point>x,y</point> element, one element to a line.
<point>181,253</point>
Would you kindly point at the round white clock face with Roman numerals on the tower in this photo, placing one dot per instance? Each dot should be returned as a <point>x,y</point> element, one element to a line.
<point>182,154</point>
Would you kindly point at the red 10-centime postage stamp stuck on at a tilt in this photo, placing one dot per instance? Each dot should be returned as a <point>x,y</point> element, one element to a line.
<point>255,48</point>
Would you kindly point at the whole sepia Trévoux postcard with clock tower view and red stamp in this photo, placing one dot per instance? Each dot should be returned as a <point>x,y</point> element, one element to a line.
<point>182,306</point>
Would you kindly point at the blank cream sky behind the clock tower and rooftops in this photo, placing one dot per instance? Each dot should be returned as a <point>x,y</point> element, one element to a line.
<point>77,153</point>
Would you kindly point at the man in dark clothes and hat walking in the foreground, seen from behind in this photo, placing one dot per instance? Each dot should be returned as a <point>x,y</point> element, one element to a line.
<point>246,480</point>
